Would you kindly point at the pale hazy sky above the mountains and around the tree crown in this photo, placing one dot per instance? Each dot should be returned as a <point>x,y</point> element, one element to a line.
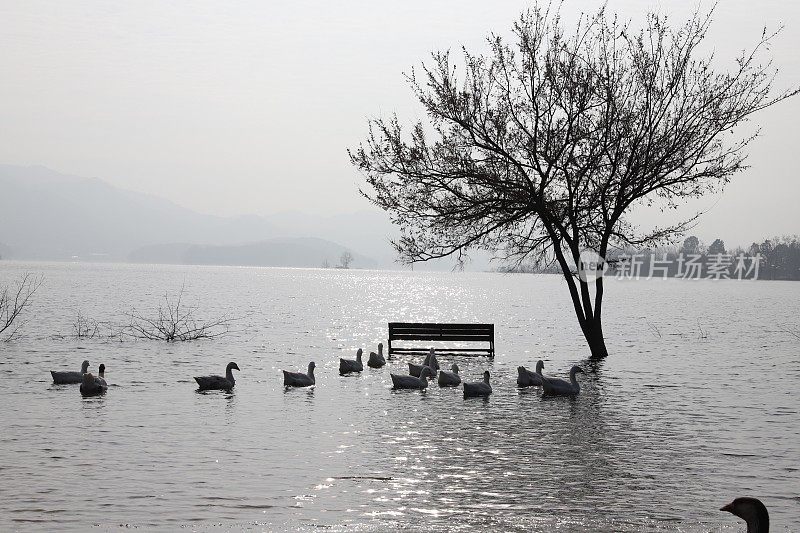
<point>249,107</point>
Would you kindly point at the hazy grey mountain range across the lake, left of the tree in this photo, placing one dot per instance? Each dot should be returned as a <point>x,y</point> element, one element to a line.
<point>47,215</point>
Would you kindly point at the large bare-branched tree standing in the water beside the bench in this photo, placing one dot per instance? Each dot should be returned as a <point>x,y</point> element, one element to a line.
<point>540,149</point>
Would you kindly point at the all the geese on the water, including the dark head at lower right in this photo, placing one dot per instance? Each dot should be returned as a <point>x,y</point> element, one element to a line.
<point>751,510</point>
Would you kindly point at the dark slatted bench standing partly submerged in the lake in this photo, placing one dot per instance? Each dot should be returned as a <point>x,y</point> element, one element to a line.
<point>414,331</point>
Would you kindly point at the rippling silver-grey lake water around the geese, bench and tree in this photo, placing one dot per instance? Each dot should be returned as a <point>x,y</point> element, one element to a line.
<point>696,405</point>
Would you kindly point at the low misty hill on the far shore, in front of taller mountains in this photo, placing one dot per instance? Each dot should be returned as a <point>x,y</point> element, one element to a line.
<point>285,252</point>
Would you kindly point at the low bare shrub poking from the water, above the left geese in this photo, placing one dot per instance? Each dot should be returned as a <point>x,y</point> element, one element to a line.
<point>175,321</point>
